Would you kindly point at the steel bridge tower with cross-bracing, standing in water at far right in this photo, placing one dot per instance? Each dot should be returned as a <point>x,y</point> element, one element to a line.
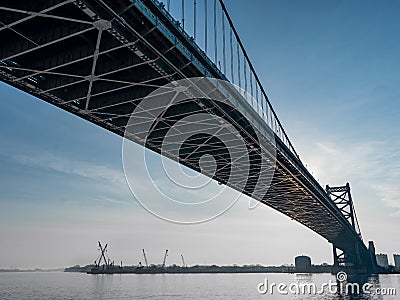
<point>355,260</point>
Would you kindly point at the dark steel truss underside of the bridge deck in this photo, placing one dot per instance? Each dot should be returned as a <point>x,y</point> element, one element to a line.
<point>100,59</point>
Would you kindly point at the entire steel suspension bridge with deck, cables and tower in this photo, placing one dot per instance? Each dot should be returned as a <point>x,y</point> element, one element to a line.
<point>99,59</point>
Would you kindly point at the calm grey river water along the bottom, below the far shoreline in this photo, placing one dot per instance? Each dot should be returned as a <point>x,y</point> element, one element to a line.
<point>59,285</point>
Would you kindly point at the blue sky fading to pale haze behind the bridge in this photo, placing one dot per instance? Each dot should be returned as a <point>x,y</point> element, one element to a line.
<point>331,71</point>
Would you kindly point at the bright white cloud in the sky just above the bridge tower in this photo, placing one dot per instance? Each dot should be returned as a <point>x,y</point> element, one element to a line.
<point>374,163</point>
